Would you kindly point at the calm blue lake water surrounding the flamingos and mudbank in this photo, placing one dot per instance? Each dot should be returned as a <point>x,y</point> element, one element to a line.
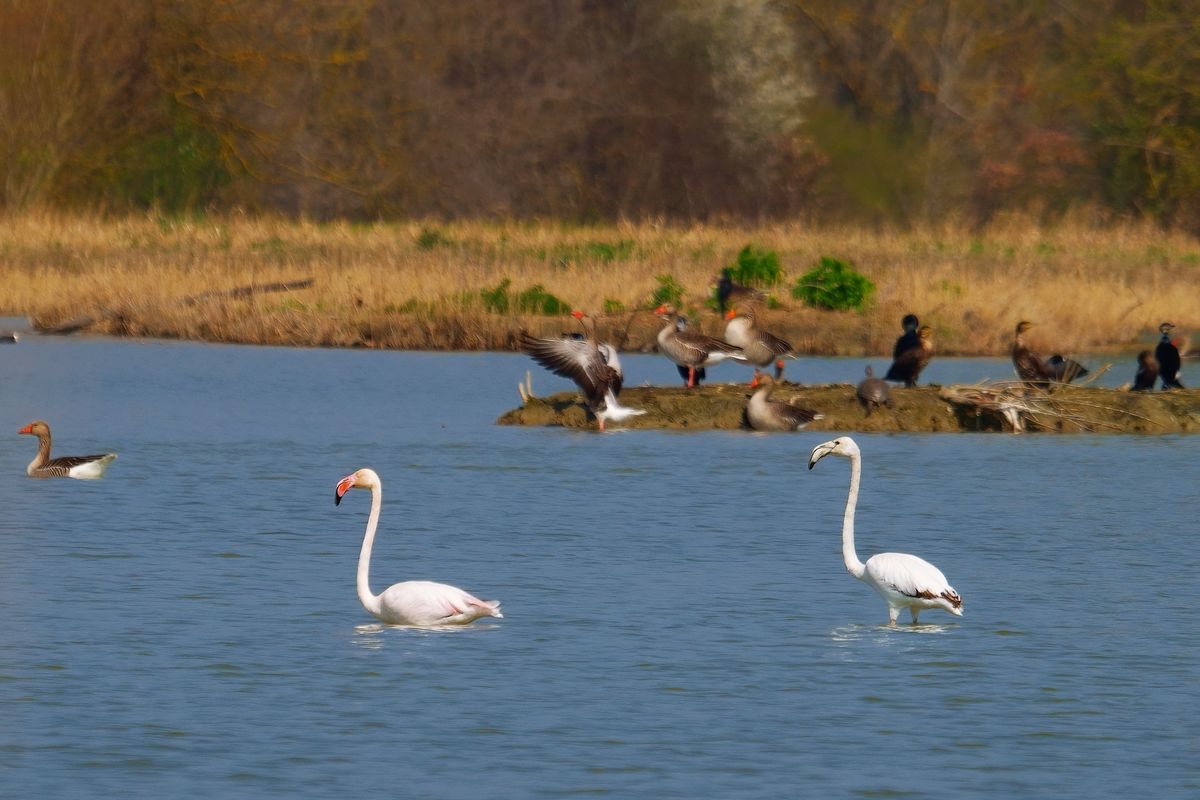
<point>679,622</point>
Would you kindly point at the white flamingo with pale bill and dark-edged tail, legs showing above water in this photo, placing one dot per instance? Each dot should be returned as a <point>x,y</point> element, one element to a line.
<point>904,581</point>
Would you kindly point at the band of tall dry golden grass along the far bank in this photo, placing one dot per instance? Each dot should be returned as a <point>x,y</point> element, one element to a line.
<point>416,285</point>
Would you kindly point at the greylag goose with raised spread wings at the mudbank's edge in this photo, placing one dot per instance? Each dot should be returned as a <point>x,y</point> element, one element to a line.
<point>595,369</point>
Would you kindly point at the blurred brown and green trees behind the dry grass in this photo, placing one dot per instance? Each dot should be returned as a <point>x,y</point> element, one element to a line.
<point>865,112</point>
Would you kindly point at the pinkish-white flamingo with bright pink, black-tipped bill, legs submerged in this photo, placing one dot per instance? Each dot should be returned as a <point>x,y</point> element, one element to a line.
<point>411,603</point>
